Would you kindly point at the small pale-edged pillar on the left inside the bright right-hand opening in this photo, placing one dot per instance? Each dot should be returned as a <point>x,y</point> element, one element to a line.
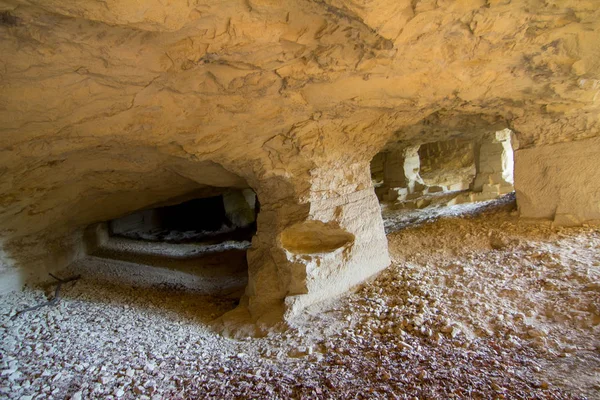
<point>401,171</point>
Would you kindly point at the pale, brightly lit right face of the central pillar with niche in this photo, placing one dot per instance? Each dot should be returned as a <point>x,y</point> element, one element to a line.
<point>349,242</point>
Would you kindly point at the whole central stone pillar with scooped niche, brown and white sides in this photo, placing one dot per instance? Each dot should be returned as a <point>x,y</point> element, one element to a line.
<point>318,236</point>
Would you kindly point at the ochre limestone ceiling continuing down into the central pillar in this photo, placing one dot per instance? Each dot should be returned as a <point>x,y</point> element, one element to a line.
<point>108,108</point>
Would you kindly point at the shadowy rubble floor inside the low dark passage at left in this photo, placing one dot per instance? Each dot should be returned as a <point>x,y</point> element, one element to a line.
<point>206,270</point>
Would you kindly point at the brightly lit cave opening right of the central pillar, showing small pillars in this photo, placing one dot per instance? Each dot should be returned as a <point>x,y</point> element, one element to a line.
<point>418,182</point>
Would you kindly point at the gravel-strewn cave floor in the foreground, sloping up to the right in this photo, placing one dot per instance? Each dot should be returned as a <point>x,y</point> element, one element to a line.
<point>481,305</point>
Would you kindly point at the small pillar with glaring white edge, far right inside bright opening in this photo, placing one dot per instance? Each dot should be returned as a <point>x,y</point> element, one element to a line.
<point>494,164</point>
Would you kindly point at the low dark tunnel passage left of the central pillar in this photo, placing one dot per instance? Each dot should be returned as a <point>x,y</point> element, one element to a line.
<point>197,242</point>
